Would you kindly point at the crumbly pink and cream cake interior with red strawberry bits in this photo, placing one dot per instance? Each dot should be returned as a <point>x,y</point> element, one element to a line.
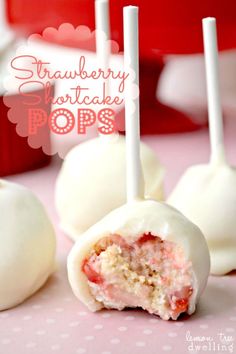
<point>149,273</point>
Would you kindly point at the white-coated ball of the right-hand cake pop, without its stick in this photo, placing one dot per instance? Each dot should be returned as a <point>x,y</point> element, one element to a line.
<point>206,194</point>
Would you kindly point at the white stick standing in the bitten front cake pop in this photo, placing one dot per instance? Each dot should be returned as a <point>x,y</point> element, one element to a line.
<point>134,177</point>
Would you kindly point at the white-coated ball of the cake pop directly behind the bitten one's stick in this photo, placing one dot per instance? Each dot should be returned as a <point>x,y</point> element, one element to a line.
<point>92,182</point>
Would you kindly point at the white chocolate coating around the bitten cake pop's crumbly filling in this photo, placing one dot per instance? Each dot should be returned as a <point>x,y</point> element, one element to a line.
<point>130,221</point>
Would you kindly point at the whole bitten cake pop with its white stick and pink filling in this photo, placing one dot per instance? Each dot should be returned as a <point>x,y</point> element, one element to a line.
<point>144,254</point>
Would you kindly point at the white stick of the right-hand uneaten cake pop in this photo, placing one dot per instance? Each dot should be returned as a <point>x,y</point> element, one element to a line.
<point>213,90</point>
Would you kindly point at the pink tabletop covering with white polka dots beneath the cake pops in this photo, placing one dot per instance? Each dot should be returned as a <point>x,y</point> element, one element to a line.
<point>54,321</point>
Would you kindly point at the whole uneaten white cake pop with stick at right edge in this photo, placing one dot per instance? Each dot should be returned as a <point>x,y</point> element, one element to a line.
<point>206,194</point>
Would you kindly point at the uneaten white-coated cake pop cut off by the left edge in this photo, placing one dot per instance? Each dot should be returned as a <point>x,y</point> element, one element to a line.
<point>27,244</point>
